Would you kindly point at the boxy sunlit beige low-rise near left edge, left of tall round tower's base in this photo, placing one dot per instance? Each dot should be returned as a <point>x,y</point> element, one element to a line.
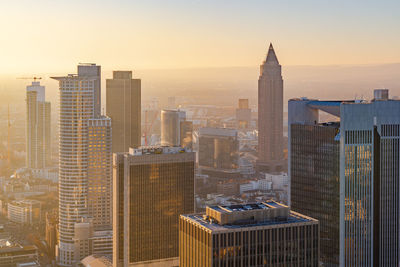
<point>24,211</point>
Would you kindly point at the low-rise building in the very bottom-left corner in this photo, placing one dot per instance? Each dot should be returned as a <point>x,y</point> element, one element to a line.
<point>17,255</point>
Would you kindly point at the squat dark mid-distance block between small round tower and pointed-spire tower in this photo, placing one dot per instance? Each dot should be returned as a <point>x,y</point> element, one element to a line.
<point>218,148</point>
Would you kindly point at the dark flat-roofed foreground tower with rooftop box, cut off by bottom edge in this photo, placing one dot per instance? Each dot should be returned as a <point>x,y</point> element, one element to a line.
<point>258,234</point>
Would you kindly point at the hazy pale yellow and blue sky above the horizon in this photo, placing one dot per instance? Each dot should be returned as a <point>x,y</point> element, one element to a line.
<point>49,36</point>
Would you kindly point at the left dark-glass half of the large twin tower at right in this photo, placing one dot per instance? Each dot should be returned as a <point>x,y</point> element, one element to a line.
<point>314,170</point>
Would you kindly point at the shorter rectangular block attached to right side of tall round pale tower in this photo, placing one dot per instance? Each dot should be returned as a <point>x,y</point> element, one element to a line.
<point>99,172</point>
